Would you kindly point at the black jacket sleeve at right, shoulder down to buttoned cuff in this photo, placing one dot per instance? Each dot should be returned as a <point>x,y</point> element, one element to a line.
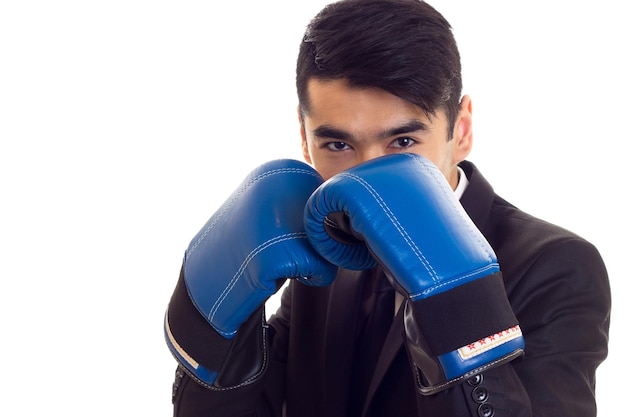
<point>562,300</point>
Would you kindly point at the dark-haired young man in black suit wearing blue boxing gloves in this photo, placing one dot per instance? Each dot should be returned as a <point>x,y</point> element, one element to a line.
<point>400,305</point>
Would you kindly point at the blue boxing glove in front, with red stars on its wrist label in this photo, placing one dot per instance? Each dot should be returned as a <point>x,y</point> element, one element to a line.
<point>402,214</point>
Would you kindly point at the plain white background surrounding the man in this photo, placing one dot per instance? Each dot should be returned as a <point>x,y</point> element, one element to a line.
<point>125,124</point>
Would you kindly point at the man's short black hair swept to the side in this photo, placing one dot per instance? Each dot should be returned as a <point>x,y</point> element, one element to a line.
<point>404,47</point>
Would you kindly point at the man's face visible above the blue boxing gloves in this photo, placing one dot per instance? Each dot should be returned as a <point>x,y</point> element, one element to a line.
<point>346,126</point>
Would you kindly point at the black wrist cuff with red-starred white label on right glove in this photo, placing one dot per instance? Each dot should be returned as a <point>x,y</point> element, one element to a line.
<point>454,335</point>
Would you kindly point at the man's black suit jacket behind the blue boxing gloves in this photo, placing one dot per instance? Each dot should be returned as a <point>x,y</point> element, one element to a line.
<point>558,288</point>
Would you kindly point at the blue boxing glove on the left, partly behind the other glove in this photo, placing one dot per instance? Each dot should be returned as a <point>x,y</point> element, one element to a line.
<point>214,325</point>
